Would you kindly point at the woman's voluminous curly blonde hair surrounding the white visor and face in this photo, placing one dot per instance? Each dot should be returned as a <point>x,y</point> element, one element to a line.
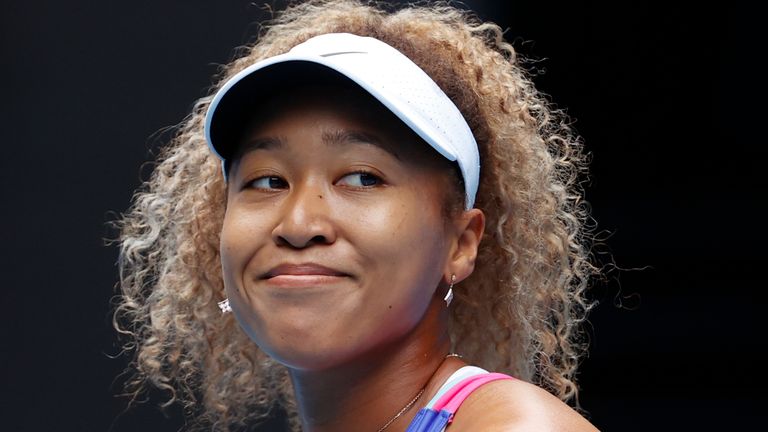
<point>520,312</point>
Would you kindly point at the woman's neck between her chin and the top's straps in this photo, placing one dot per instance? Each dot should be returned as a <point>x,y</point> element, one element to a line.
<point>366,392</point>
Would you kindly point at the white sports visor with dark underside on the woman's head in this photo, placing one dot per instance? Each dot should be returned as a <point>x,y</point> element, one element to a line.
<point>384,72</point>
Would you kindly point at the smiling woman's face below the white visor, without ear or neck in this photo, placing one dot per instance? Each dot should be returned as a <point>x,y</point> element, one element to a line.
<point>334,240</point>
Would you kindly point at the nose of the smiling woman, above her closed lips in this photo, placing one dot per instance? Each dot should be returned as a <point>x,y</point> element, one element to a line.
<point>306,219</point>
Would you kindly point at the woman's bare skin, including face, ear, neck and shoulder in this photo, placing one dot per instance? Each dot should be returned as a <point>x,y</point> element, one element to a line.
<point>336,254</point>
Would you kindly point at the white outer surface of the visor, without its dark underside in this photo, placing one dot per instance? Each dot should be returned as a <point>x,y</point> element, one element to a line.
<point>396,82</point>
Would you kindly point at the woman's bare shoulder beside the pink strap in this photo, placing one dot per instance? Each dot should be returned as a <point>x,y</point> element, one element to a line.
<point>515,405</point>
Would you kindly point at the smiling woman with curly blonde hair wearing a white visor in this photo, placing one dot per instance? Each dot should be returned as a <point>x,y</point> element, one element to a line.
<point>381,199</point>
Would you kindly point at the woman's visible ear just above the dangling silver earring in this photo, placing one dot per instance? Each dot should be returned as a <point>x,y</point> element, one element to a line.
<point>469,228</point>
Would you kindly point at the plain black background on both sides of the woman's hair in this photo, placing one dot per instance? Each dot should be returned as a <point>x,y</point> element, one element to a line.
<point>661,94</point>
